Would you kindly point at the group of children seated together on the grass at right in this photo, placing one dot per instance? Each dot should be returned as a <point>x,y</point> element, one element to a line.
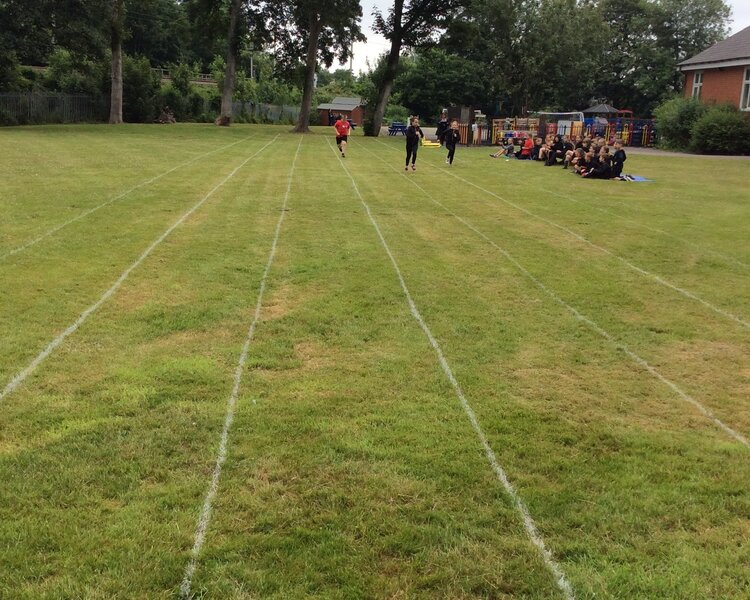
<point>587,157</point>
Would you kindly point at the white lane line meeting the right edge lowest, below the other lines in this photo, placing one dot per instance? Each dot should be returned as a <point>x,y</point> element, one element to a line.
<point>584,319</point>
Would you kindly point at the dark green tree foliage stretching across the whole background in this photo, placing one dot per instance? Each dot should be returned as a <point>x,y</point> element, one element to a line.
<point>504,56</point>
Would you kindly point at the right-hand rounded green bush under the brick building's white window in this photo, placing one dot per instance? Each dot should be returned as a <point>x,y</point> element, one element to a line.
<point>721,130</point>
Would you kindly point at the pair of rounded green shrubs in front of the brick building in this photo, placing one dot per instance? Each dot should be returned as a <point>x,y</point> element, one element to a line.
<point>687,123</point>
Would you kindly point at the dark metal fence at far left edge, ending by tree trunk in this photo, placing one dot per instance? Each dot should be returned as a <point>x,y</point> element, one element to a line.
<point>38,108</point>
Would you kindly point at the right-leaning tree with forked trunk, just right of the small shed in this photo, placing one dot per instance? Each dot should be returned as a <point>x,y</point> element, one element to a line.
<point>410,23</point>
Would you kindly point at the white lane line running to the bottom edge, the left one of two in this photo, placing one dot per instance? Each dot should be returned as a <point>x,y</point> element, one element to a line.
<point>205,516</point>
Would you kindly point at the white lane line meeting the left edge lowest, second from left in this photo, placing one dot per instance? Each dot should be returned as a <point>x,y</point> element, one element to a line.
<point>20,377</point>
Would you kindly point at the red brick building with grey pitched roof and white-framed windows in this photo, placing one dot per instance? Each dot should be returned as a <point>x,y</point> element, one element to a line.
<point>721,73</point>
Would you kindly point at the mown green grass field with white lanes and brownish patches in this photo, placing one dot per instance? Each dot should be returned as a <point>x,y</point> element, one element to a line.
<point>234,365</point>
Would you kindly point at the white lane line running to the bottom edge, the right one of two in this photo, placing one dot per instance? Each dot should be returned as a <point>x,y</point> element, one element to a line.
<point>528,522</point>
